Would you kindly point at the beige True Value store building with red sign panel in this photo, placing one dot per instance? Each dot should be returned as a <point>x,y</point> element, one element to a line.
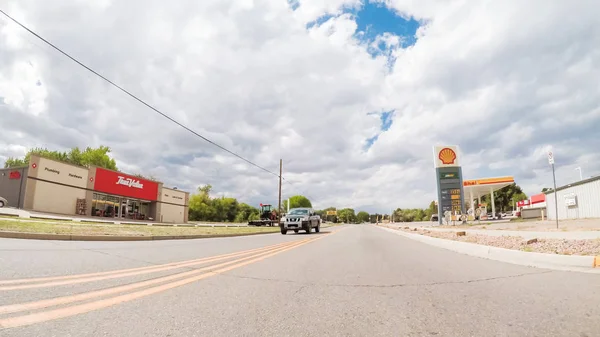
<point>56,187</point>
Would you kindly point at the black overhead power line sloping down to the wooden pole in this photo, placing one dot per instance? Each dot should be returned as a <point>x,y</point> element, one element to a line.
<point>135,97</point>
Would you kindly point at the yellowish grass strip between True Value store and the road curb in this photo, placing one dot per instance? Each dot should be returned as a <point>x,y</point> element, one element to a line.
<point>74,228</point>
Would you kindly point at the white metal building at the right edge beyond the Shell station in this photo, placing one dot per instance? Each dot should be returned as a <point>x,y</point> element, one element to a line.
<point>575,201</point>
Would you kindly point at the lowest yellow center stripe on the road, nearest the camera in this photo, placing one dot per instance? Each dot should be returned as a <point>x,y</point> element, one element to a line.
<point>104,303</point>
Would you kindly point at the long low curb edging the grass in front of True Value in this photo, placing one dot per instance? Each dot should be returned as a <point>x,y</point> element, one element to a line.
<point>68,237</point>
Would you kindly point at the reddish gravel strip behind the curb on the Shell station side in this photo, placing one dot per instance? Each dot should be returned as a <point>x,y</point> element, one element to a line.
<point>550,246</point>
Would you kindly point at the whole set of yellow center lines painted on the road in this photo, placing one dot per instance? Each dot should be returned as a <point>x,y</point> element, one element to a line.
<point>112,296</point>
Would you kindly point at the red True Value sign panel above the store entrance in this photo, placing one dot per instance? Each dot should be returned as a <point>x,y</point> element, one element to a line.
<point>125,185</point>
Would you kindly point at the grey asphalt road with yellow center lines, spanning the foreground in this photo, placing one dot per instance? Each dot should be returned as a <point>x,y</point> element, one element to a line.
<point>358,281</point>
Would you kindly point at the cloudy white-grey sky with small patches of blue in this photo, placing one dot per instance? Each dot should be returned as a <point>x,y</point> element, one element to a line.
<point>352,95</point>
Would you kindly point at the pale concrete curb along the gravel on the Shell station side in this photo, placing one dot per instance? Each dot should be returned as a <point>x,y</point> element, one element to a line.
<point>540,260</point>
